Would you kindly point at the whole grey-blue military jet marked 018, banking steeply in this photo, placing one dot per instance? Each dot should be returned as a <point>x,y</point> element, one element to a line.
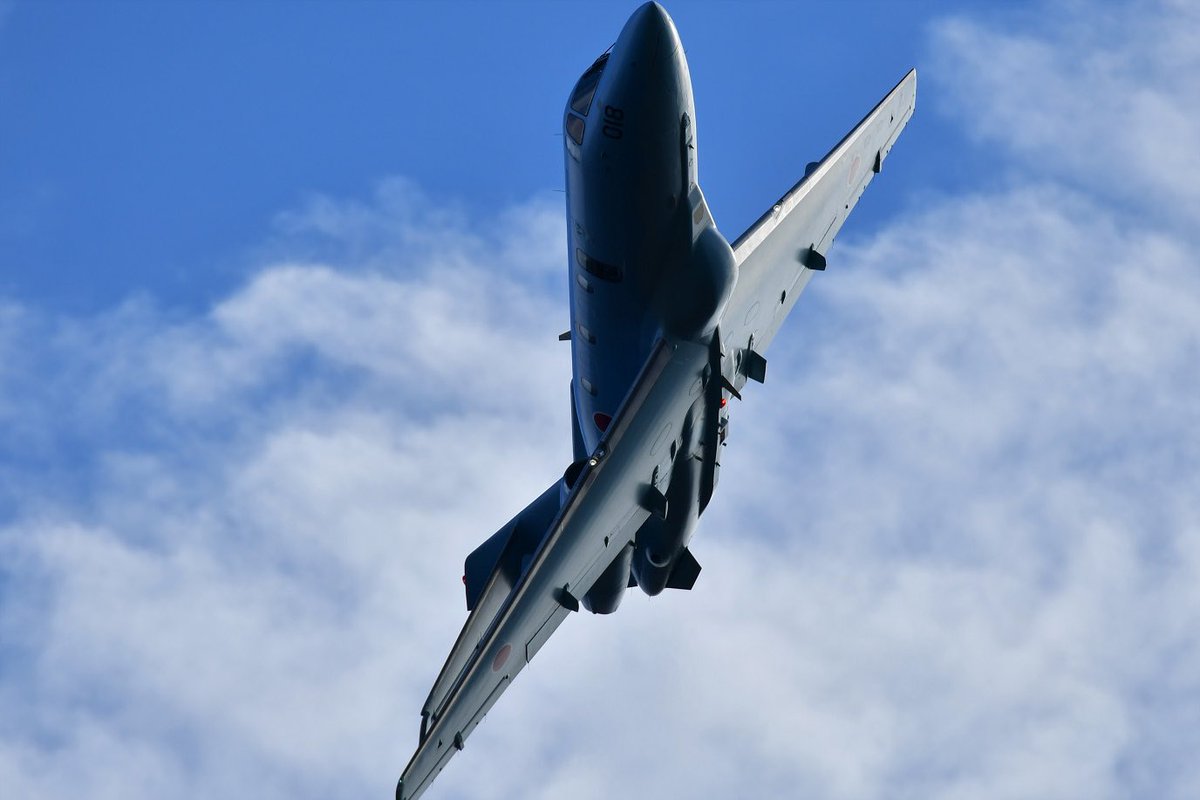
<point>669,322</point>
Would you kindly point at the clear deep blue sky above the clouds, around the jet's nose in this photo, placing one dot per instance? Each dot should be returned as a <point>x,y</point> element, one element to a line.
<point>148,147</point>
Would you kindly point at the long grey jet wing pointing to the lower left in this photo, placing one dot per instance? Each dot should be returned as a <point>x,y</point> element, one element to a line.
<point>601,516</point>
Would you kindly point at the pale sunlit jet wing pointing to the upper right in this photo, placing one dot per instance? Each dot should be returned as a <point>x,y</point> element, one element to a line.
<point>779,254</point>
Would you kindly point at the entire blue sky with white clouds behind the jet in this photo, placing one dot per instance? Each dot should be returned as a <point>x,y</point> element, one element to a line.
<point>280,288</point>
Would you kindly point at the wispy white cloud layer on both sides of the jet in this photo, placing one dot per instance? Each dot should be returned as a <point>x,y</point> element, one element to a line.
<point>953,554</point>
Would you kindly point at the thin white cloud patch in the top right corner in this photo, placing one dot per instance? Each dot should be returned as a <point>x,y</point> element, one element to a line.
<point>1101,95</point>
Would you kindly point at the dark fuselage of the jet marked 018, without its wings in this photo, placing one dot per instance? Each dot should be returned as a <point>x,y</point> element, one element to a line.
<point>646,262</point>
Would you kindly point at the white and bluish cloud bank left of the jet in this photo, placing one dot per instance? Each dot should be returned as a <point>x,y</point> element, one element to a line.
<point>238,584</point>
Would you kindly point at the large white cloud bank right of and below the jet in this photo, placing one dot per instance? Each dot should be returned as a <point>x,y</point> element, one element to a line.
<point>955,552</point>
